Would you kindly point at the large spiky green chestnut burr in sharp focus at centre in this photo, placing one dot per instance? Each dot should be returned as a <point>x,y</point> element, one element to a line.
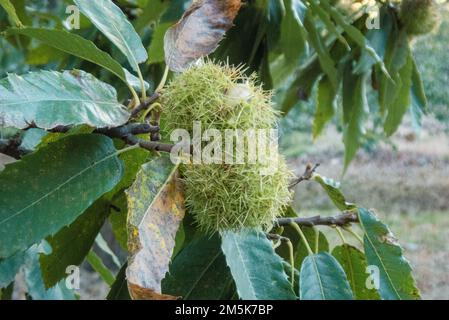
<point>226,196</point>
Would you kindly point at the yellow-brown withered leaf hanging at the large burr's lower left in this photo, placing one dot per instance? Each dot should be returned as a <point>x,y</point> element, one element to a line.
<point>155,210</point>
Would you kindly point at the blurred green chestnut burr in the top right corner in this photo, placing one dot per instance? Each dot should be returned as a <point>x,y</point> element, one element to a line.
<point>418,16</point>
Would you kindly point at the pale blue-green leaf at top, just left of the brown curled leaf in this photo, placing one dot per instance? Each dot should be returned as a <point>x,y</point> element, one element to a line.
<point>113,23</point>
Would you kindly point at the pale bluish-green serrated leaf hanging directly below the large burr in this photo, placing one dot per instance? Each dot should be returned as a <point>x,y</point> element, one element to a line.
<point>257,270</point>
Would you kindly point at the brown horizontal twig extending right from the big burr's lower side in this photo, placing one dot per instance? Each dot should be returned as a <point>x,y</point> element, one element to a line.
<point>338,220</point>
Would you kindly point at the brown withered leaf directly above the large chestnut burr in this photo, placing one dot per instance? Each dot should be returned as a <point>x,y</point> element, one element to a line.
<point>198,32</point>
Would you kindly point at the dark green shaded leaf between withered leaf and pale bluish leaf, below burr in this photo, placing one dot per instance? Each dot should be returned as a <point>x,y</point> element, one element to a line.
<point>199,272</point>
